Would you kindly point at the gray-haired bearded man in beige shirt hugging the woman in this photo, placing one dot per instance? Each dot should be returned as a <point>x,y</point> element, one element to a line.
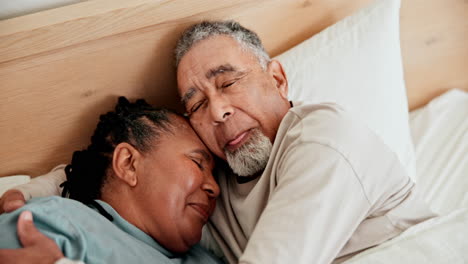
<point>306,183</point>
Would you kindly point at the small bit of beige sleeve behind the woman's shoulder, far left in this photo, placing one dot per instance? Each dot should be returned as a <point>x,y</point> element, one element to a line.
<point>44,185</point>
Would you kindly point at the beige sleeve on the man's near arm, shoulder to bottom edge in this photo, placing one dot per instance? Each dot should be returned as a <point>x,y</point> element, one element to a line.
<point>313,211</point>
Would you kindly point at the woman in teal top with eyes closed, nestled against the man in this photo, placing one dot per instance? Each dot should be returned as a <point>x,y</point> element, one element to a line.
<point>143,188</point>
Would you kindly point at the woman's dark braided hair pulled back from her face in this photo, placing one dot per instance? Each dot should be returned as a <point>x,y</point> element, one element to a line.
<point>137,124</point>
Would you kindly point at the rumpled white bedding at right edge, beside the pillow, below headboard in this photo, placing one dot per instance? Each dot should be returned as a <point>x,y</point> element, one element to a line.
<point>440,136</point>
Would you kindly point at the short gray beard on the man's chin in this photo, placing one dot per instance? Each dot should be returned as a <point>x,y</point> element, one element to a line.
<point>252,157</point>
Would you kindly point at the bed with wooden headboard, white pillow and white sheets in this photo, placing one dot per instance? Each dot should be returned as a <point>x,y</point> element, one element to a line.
<point>60,68</point>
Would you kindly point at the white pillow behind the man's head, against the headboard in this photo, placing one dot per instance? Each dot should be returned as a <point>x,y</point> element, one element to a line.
<point>357,64</point>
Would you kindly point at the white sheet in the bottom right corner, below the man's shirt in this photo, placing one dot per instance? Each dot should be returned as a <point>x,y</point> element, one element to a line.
<point>439,240</point>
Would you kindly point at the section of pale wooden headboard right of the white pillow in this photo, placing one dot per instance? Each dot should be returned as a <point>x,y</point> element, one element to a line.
<point>434,42</point>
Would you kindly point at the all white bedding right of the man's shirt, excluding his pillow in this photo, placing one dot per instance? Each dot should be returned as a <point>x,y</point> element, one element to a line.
<point>440,135</point>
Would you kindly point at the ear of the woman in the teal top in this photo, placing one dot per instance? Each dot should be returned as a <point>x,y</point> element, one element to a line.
<point>124,163</point>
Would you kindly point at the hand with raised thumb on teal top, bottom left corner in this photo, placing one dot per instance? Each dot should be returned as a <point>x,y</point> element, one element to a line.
<point>37,247</point>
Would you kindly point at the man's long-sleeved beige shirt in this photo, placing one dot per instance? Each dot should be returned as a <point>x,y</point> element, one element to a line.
<point>331,188</point>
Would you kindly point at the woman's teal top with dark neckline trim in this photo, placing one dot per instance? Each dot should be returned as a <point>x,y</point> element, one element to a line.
<point>84,234</point>
